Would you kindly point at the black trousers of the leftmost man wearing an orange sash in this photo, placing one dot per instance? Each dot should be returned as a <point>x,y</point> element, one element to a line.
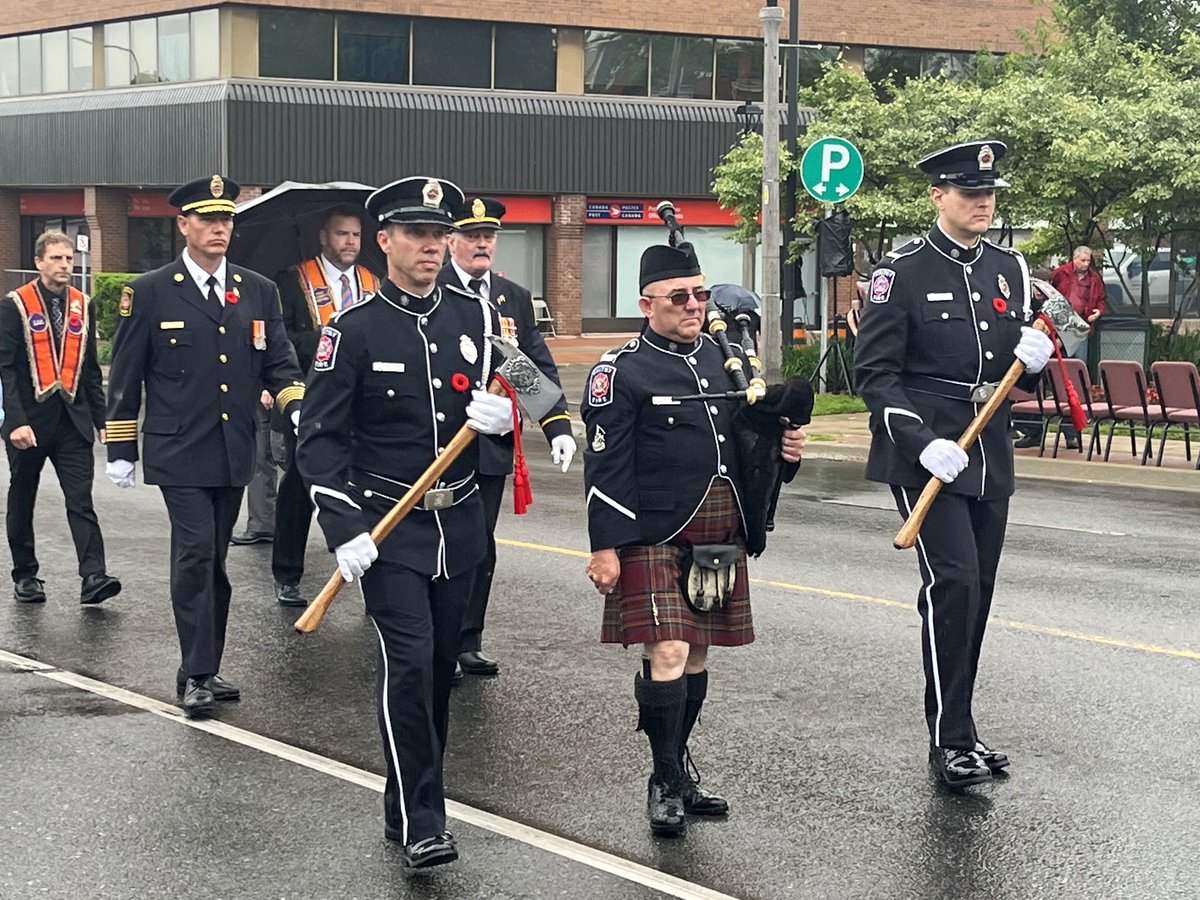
<point>70,454</point>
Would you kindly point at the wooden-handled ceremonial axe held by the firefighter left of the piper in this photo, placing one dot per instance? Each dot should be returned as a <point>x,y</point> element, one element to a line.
<point>535,392</point>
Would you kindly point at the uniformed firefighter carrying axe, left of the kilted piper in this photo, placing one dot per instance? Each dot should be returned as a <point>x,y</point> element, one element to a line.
<point>393,381</point>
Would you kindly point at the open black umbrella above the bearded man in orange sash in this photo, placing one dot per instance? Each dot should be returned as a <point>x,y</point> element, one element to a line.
<point>279,229</point>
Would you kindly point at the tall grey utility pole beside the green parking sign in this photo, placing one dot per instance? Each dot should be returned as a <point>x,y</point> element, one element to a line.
<point>772,343</point>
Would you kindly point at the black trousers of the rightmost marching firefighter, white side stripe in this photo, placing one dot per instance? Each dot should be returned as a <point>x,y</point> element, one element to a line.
<point>958,553</point>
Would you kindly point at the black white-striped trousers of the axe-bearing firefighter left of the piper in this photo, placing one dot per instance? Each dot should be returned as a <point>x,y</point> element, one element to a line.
<point>418,620</point>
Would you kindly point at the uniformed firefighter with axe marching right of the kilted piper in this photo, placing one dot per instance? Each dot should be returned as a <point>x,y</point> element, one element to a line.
<point>946,316</point>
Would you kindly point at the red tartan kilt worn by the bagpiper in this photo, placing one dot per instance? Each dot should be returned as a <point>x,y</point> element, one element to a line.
<point>649,604</point>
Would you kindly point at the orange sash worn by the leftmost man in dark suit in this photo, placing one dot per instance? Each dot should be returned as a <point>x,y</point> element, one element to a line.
<point>55,368</point>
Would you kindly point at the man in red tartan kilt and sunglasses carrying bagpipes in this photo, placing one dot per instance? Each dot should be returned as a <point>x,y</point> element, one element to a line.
<point>662,478</point>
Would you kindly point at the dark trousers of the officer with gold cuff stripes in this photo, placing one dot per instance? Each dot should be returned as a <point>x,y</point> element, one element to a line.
<point>202,521</point>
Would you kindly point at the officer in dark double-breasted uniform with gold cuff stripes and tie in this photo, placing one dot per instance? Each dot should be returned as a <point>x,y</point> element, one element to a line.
<point>206,338</point>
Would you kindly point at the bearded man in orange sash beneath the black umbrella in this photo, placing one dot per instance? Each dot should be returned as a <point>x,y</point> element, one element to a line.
<point>311,293</point>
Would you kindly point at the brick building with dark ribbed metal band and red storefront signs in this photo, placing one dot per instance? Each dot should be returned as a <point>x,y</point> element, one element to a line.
<point>583,116</point>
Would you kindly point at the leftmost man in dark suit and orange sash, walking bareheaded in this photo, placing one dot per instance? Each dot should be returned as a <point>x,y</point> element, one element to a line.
<point>53,405</point>
